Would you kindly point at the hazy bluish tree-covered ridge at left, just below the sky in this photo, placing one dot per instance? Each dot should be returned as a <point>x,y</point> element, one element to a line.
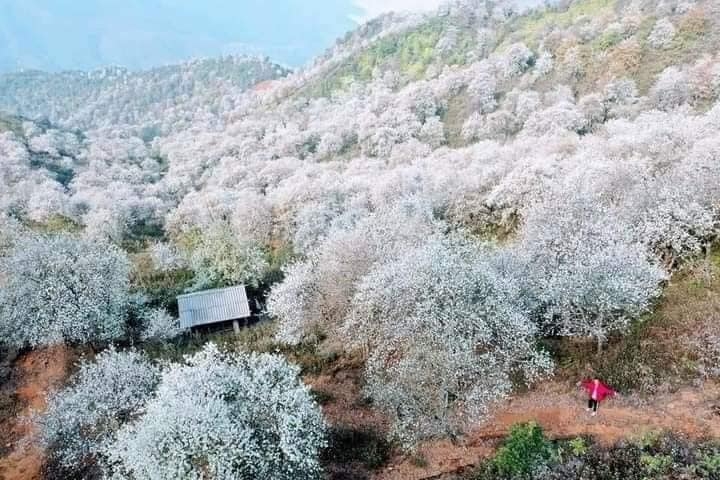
<point>115,96</point>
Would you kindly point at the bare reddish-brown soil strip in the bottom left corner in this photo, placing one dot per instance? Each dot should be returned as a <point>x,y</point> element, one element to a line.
<point>37,372</point>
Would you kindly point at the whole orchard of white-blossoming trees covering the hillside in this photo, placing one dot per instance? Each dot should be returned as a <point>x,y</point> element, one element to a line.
<point>437,198</point>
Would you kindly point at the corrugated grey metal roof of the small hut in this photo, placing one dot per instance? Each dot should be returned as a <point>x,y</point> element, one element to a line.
<point>213,306</point>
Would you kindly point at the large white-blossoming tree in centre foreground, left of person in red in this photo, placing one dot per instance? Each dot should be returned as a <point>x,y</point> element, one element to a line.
<point>444,333</point>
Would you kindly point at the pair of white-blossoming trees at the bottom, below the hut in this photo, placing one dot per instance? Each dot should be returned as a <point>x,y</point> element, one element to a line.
<point>215,415</point>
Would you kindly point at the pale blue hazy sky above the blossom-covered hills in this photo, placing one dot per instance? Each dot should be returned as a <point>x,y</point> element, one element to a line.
<point>86,34</point>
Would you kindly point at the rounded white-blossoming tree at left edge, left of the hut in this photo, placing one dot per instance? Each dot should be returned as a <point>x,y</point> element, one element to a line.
<point>59,289</point>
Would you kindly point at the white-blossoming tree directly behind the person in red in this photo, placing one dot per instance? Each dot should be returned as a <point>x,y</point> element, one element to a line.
<point>589,277</point>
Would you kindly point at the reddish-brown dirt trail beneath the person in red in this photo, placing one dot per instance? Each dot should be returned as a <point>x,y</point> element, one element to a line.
<point>693,412</point>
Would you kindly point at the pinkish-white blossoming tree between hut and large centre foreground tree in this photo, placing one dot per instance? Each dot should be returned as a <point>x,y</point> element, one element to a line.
<point>316,293</point>
